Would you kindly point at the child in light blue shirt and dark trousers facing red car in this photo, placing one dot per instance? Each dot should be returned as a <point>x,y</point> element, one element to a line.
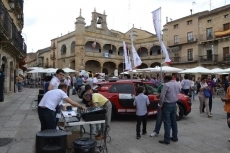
<point>141,102</point>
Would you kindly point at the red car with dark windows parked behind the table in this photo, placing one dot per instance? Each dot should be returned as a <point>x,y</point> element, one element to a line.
<point>122,92</point>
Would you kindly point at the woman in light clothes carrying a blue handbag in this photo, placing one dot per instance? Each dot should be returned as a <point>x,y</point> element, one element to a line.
<point>204,94</point>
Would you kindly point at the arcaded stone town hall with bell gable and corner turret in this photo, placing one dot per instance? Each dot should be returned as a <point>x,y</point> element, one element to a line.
<point>75,49</point>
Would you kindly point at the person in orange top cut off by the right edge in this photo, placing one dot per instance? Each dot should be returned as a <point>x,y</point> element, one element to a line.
<point>227,105</point>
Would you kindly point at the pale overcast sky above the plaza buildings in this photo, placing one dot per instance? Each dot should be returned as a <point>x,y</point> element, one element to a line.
<point>48,19</point>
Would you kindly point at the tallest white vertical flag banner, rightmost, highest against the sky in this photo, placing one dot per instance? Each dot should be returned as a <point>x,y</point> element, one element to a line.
<point>156,22</point>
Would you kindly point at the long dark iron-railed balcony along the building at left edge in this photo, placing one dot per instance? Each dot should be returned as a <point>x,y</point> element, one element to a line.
<point>9,33</point>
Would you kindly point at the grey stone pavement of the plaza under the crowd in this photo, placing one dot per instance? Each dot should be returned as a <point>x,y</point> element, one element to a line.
<point>197,134</point>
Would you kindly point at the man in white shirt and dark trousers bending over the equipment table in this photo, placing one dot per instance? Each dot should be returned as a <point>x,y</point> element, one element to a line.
<point>46,108</point>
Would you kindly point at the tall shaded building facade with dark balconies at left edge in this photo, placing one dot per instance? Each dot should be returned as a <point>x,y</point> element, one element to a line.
<point>12,46</point>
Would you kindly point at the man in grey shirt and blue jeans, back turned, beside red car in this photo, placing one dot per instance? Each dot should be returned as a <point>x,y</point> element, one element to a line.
<point>168,100</point>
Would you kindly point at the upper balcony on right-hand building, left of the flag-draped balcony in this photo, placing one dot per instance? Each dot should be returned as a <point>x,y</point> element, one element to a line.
<point>181,41</point>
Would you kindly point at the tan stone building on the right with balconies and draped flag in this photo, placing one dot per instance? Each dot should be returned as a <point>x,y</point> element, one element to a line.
<point>200,39</point>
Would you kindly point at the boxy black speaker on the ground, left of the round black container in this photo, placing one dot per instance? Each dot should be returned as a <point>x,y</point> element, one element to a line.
<point>50,141</point>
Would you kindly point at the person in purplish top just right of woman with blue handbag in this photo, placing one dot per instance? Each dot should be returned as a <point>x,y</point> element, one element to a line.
<point>211,85</point>
